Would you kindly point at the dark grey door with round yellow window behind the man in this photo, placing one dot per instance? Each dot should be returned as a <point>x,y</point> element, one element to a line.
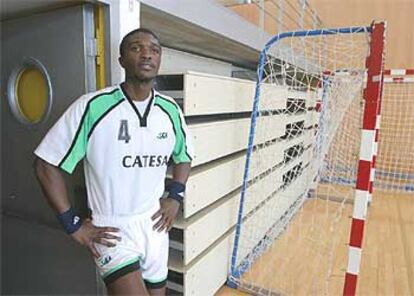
<point>56,48</point>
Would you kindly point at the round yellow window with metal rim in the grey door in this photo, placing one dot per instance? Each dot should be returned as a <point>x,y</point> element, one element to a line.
<point>30,92</point>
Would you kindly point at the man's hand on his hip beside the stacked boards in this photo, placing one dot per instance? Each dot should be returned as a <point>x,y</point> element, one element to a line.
<point>166,214</point>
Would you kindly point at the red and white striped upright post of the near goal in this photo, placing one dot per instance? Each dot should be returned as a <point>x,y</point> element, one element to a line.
<point>368,154</point>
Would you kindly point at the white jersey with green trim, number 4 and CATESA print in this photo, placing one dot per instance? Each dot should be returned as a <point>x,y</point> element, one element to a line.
<point>125,153</point>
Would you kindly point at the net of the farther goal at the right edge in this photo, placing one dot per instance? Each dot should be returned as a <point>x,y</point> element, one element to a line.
<point>395,162</point>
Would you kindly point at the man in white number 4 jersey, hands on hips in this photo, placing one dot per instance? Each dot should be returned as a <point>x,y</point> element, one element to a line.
<point>126,136</point>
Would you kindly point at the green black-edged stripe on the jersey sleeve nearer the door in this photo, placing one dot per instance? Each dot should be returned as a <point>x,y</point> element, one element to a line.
<point>96,109</point>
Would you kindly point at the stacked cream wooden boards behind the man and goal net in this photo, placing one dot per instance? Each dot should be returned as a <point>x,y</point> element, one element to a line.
<point>217,110</point>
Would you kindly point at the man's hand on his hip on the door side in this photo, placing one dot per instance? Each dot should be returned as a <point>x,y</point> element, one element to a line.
<point>89,234</point>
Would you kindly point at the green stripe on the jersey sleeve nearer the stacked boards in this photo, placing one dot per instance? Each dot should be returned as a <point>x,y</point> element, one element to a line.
<point>180,153</point>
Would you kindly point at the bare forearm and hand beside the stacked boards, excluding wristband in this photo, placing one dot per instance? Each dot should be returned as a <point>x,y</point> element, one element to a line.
<point>170,206</point>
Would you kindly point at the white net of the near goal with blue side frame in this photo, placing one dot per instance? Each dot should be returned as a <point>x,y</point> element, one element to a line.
<point>300,187</point>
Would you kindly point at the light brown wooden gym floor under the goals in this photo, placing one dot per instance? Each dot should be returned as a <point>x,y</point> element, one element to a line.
<point>294,266</point>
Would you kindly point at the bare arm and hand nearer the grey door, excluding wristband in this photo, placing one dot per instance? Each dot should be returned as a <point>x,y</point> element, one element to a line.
<point>54,188</point>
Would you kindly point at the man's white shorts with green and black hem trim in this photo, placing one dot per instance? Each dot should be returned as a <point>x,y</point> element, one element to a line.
<point>140,247</point>
